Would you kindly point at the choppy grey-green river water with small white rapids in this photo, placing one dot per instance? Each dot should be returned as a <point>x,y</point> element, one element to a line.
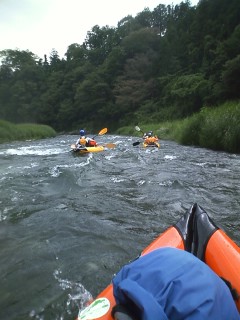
<point>68,223</point>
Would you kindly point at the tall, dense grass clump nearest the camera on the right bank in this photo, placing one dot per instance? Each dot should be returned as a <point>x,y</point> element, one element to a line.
<point>213,128</point>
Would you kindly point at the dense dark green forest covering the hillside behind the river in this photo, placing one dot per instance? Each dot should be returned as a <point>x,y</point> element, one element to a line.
<point>160,65</point>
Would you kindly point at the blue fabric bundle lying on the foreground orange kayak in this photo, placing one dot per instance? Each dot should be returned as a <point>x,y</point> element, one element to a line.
<point>173,284</point>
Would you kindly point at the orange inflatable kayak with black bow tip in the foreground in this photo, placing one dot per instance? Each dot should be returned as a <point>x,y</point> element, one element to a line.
<point>196,233</point>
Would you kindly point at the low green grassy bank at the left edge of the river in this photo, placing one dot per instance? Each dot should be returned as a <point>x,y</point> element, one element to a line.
<point>26,131</point>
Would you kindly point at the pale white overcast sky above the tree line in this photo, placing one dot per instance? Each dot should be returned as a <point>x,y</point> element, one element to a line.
<point>42,25</point>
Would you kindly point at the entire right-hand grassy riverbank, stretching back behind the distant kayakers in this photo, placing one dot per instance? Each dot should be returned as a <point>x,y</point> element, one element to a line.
<point>214,128</point>
